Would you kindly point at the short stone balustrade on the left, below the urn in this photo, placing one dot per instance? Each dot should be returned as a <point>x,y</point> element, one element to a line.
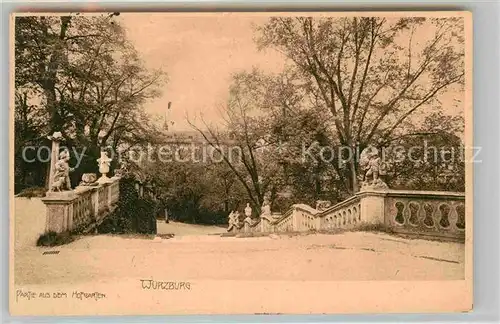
<point>81,209</point>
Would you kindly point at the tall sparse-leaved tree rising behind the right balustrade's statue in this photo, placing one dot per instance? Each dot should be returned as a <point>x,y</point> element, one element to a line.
<point>371,74</point>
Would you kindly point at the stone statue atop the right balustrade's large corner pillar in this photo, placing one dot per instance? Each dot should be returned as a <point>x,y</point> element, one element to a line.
<point>373,167</point>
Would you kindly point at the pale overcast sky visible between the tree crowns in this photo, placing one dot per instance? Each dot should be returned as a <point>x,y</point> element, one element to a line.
<point>200,52</point>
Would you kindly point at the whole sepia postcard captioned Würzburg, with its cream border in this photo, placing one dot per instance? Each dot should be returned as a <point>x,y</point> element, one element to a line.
<point>241,163</point>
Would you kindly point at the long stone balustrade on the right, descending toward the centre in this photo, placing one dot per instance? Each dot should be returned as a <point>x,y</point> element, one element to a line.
<point>425,214</point>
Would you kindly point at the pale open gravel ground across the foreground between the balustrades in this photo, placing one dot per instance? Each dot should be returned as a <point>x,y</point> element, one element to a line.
<point>348,256</point>
